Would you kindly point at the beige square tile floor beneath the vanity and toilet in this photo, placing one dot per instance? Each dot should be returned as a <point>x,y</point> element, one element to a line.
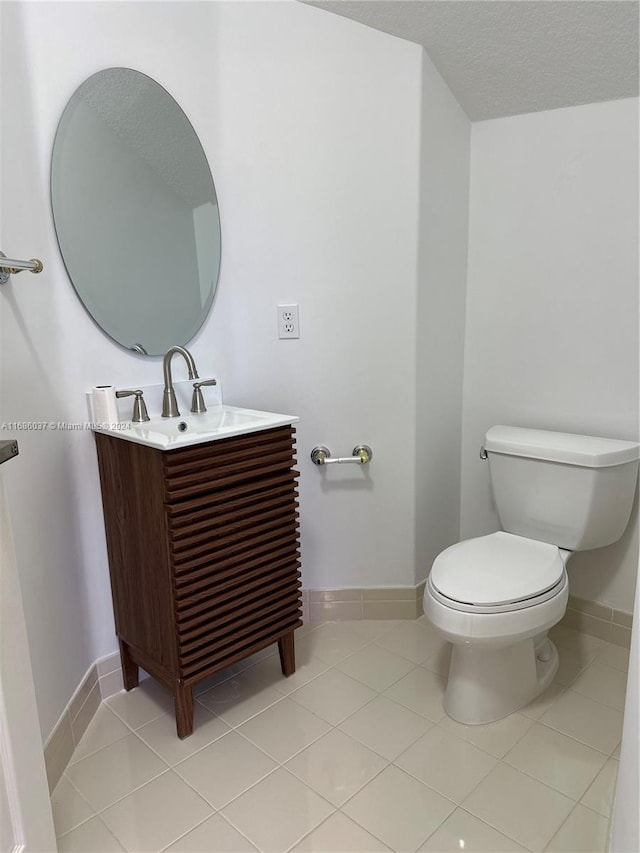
<point>352,753</point>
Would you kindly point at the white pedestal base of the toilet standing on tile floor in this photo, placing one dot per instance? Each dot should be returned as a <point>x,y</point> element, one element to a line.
<point>487,684</point>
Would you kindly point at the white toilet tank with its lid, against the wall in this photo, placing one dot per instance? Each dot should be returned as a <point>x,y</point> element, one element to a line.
<point>573,491</point>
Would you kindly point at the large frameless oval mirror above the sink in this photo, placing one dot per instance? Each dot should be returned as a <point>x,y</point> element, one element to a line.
<point>135,211</point>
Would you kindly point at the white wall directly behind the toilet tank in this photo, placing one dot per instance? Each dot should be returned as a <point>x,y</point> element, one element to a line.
<point>552,307</point>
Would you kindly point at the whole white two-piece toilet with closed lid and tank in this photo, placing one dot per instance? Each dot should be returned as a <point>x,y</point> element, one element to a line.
<point>495,597</point>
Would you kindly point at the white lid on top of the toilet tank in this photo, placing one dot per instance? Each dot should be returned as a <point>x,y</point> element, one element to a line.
<point>586,450</point>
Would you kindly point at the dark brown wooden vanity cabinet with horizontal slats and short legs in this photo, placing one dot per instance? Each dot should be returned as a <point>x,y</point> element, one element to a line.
<point>203,555</point>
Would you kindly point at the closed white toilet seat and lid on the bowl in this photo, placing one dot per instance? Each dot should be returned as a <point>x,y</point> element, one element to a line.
<point>497,573</point>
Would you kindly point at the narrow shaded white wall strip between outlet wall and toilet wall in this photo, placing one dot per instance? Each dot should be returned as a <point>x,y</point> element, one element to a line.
<point>442,280</point>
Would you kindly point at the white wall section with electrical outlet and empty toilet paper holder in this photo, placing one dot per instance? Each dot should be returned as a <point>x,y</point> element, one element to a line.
<point>319,148</point>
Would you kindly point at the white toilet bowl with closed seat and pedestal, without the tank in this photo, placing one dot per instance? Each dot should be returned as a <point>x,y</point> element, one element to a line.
<point>494,598</point>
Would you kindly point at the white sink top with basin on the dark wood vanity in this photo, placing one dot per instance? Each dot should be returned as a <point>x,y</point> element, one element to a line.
<point>216,423</point>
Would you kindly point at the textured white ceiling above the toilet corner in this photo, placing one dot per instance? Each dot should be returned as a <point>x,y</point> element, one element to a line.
<point>504,57</point>
